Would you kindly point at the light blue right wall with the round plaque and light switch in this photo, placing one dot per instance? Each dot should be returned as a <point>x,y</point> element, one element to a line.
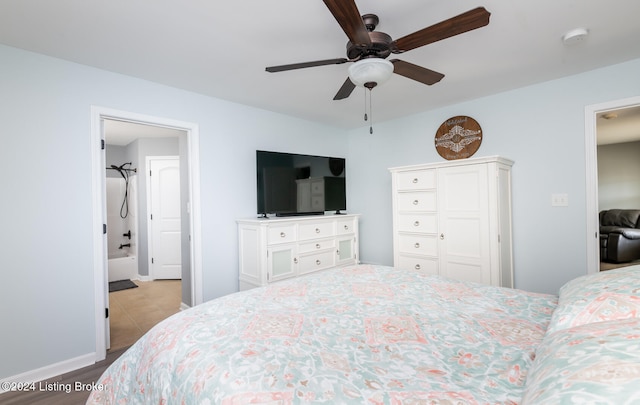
<point>542,128</point>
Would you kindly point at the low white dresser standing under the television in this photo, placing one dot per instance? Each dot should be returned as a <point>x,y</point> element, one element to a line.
<point>277,248</point>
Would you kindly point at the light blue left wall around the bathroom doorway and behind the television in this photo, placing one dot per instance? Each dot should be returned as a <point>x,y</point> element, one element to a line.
<point>47,290</point>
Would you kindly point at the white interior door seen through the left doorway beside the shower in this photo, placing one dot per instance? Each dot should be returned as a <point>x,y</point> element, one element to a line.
<point>164,214</point>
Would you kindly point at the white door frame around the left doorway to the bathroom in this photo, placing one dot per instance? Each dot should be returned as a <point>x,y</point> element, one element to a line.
<point>98,114</point>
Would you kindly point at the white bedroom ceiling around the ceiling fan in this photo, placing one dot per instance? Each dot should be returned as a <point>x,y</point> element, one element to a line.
<point>221,48</point>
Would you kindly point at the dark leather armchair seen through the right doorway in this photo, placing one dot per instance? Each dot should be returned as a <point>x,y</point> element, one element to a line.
<point>619,235</point>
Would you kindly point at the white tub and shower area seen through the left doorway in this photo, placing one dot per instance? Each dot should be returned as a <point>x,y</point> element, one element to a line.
<point>122,222</point>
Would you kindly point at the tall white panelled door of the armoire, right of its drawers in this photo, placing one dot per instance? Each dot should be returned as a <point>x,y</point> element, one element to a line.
<point>464,224</point>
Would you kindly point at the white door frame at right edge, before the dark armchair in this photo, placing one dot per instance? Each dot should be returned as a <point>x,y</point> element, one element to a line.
<point>591,163</point>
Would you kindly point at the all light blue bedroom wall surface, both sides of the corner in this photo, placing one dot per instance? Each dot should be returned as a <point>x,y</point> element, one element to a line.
<point>46,295</point>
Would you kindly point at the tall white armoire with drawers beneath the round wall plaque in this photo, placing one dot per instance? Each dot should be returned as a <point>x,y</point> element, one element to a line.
<point>454,219</point>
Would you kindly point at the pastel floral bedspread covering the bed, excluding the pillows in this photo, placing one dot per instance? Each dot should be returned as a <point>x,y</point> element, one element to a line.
<point>360,334</point>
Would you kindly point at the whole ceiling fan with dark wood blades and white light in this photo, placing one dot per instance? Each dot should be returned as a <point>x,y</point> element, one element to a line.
<point>367,46</point>
